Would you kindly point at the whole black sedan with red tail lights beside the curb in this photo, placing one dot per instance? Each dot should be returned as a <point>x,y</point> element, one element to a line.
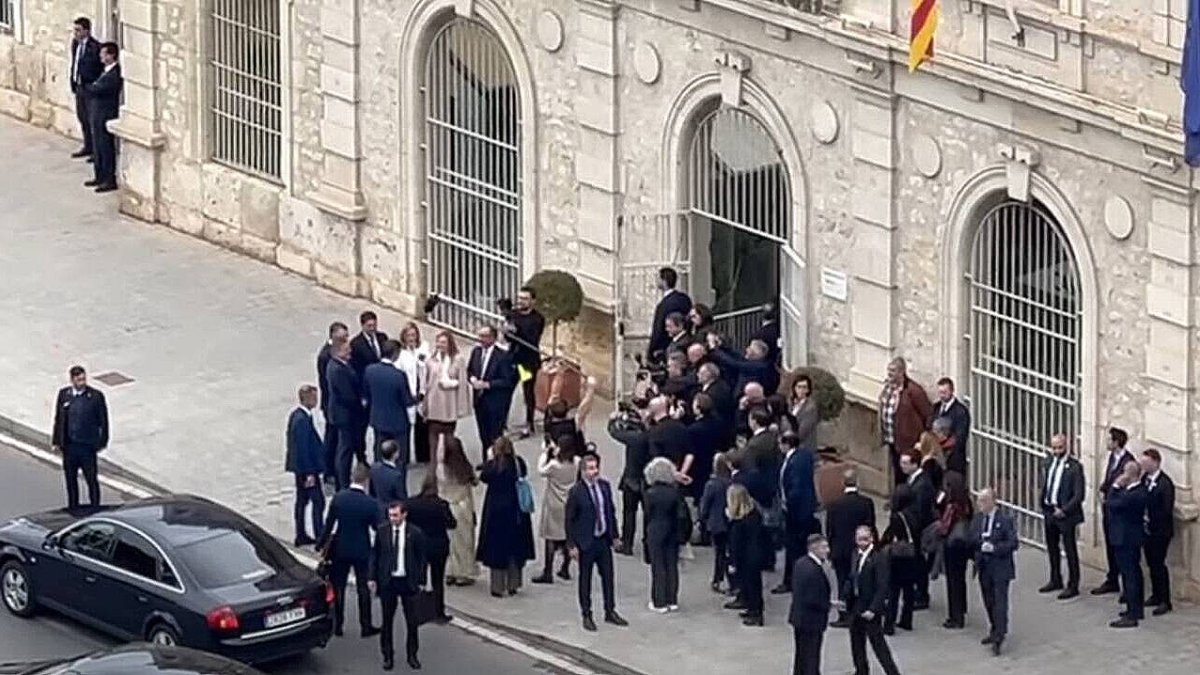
<point>171,571</point>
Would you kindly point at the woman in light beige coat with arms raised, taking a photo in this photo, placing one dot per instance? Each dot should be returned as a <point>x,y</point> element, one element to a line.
<point>560,468</point>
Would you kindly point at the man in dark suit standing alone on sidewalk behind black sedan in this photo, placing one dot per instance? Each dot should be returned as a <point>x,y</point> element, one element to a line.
<point>81,433</point>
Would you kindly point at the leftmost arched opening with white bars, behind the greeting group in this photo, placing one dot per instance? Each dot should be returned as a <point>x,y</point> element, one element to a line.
<point>473,184</point>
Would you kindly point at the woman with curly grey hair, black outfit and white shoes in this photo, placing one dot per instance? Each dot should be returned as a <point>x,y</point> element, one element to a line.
<point>662,512</point>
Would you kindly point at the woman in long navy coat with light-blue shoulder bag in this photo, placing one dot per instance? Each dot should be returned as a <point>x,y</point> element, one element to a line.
<point>506,533</point>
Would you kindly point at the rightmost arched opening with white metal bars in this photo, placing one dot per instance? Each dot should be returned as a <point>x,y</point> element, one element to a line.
<point>1024,338</point>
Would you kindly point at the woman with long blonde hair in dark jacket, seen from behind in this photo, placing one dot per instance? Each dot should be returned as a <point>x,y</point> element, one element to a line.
<point>747,554</point>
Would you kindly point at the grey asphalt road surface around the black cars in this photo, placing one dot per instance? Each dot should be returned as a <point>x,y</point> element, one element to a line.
<point>28,486</point>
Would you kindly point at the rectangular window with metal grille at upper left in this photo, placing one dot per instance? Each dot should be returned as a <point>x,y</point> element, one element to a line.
<point>247,111</point>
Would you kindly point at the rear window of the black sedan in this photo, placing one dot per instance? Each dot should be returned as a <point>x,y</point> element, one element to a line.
<point>235,558</point>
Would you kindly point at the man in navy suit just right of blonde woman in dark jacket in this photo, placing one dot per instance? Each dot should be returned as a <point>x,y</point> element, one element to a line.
<point>800,500</point>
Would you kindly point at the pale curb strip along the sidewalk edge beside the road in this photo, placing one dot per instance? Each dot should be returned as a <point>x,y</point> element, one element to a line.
<point>543,649</point>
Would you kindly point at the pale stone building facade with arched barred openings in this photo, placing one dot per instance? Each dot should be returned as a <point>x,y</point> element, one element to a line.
<point>1016,214</point>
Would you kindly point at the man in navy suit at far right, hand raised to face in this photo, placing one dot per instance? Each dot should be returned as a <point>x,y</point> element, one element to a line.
<point>1126,507</point>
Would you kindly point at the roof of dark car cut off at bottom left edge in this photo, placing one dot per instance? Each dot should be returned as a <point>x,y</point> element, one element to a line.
<point>134,660</point>
